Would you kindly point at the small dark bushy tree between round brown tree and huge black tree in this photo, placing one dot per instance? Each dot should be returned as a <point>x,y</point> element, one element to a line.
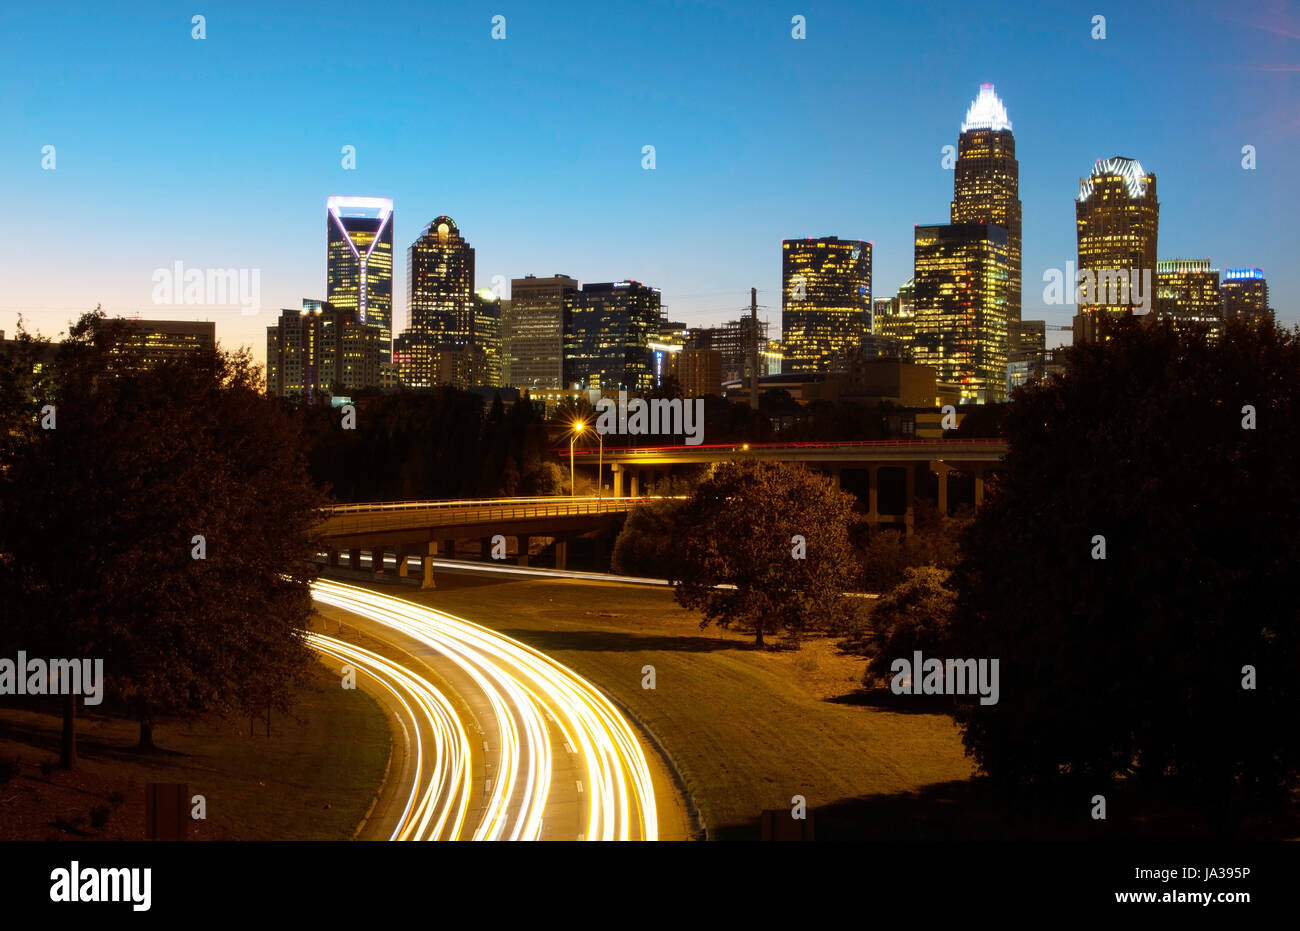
<point>913,616</point>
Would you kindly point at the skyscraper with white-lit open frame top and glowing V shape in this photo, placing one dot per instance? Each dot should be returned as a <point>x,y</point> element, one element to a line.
<point>359,262</point>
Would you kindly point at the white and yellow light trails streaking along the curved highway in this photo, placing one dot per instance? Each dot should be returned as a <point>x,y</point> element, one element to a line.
<point>525,688</point>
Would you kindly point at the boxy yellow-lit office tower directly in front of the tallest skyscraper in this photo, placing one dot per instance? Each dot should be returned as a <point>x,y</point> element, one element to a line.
<point>961,280</point>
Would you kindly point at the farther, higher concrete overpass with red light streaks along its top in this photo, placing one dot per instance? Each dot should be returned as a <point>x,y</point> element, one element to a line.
<point>636,467</point>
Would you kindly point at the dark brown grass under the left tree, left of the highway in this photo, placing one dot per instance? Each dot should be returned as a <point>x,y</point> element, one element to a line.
<point>314,780</point>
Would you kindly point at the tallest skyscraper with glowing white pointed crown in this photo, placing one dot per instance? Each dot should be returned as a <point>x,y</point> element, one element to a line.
<point>987,181</point>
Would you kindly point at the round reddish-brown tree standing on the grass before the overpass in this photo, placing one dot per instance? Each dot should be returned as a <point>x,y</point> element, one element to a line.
<point>779,536</point>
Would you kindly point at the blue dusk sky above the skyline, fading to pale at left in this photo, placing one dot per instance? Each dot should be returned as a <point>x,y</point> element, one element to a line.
<point>220,153</point>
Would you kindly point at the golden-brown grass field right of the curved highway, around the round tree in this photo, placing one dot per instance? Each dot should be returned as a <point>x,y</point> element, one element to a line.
<point>748,730</point>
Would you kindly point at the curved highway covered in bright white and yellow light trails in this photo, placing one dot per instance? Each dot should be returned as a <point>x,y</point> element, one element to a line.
<point>501,743</point>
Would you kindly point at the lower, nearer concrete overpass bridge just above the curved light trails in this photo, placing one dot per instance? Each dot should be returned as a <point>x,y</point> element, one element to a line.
<point>431,529</point>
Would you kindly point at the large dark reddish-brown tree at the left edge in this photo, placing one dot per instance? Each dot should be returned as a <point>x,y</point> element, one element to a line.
<point>166,526</point>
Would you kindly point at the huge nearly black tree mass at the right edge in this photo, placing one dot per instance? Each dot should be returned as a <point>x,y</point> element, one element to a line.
<point>1175,458</point>
